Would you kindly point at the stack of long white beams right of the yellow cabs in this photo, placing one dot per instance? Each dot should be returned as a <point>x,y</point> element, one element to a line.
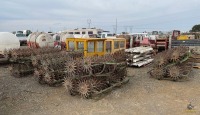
<point>139,56</point>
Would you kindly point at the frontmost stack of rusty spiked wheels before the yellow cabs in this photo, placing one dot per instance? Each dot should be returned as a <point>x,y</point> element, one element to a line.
<point>91,76</point>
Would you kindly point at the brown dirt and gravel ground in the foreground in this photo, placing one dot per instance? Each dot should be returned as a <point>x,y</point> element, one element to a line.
<point>141,96</point>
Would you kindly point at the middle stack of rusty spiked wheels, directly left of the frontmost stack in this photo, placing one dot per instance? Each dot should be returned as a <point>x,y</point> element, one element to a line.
<point>49,68</point>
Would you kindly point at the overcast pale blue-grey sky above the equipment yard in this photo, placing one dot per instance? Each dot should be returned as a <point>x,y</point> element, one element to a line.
<point>131,15</point>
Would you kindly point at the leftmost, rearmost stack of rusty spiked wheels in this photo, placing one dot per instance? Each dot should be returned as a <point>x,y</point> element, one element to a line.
<point>20,59</point>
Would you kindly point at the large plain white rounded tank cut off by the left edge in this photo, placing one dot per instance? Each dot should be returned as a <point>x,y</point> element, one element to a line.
<point>8,41</point>
